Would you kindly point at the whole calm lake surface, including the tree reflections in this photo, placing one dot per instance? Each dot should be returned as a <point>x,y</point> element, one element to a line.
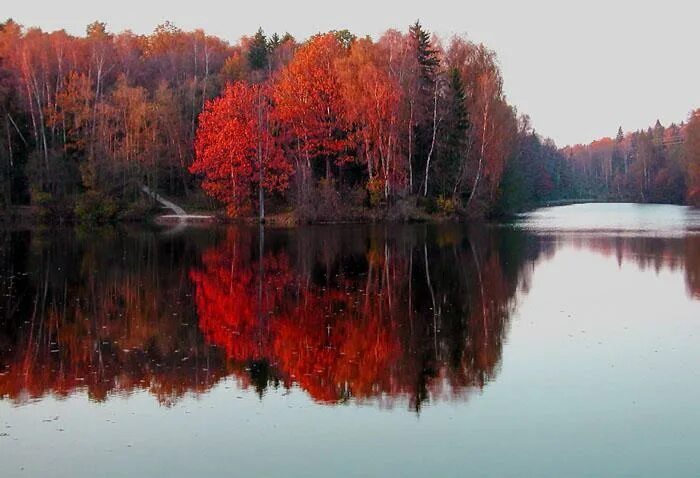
<point>559,346</point>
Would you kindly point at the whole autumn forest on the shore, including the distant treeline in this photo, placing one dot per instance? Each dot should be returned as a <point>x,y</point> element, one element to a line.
<point>333,128</point>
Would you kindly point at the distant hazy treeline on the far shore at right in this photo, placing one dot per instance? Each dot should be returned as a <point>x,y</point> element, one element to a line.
<point>659,165</point>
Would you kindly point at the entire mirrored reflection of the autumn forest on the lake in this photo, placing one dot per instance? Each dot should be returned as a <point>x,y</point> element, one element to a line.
<point>408,313</point>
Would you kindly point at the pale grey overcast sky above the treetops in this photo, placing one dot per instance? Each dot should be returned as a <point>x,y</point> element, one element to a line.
<point>579,69</point>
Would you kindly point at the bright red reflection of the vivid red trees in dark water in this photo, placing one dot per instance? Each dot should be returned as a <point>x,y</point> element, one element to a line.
<point>332,342</point>
